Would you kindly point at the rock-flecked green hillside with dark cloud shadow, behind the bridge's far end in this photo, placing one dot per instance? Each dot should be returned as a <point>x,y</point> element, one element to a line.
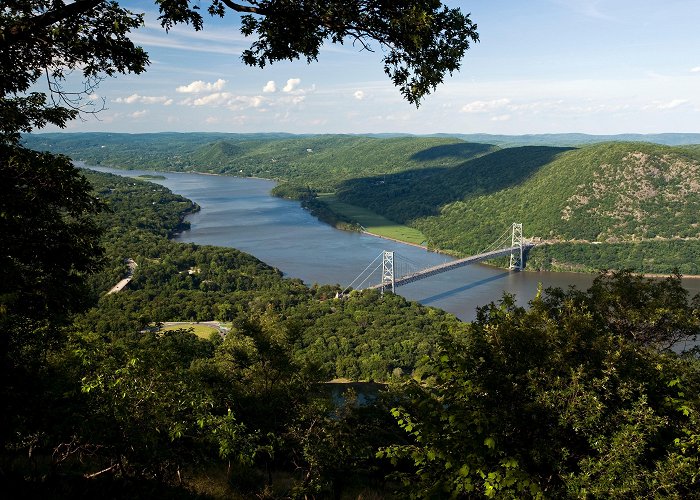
<point>610,193</point>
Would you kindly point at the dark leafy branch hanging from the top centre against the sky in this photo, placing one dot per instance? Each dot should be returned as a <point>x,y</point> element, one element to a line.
<point>422,40</point>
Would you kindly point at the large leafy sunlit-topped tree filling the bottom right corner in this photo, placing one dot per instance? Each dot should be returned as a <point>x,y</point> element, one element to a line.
<point>559,400</point>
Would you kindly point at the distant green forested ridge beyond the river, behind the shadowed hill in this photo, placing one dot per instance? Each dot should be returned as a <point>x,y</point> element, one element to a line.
<point>322,160</point>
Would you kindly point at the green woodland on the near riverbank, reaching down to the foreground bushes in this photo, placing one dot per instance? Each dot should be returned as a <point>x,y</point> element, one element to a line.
<point>578,395</point>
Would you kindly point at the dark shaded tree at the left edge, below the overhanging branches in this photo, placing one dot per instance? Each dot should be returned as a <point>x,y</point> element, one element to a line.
<point>49,245</point>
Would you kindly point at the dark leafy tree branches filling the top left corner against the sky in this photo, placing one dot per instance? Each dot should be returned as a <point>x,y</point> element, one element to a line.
<point>52,40</point>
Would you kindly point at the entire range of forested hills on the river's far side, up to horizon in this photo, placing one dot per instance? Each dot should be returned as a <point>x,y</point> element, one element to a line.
<point>607,205</point>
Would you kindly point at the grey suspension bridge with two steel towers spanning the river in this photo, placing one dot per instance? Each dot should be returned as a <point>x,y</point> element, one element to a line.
<point>397,271</point>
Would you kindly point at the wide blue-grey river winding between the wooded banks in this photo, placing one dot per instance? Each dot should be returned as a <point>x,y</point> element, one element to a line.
<point>240,213</point>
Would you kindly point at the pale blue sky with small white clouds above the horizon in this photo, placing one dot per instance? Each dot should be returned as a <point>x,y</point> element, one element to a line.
<point>541,66</point>
